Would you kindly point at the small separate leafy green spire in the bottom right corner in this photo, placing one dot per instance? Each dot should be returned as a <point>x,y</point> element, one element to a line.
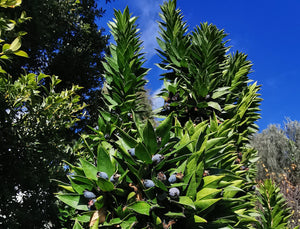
<point>274,211</point>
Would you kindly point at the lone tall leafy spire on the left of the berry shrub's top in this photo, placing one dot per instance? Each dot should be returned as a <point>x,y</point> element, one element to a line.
<point>124,74</point>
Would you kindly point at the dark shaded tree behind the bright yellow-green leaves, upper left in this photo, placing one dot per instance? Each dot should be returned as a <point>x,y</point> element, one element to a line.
<point>63,39</point>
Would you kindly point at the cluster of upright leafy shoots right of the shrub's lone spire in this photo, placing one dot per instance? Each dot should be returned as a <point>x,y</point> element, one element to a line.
<point>201,79</point>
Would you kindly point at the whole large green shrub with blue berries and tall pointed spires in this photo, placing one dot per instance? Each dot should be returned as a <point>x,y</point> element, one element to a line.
<point>194,170</point>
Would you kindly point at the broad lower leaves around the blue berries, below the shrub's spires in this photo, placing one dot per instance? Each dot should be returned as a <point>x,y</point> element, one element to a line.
<point>212,188</point>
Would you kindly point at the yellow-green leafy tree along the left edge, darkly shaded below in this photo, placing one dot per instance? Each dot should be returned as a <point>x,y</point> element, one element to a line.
<point>35,135</point>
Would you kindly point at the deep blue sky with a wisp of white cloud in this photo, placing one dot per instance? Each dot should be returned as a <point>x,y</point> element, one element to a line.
<point>268,31</point>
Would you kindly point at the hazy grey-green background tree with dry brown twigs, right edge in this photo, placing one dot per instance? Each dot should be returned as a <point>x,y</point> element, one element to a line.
<point>278,150</point>
